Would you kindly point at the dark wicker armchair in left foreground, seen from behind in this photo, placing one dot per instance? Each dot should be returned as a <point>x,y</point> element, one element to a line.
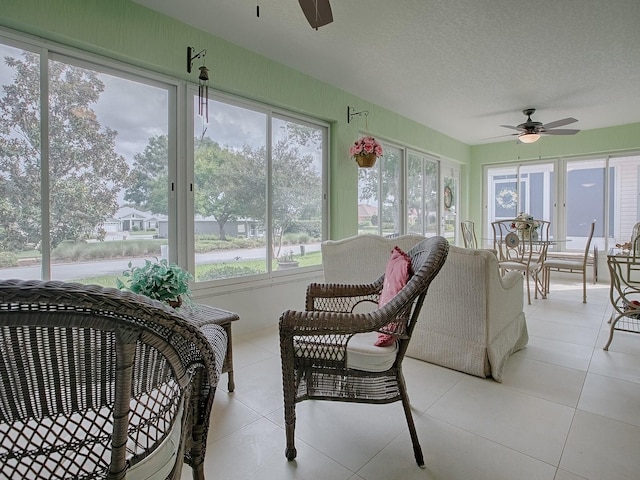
<point>100,383</point>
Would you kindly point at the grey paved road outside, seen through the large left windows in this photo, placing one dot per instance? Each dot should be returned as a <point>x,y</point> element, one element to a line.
<point>75,271</point>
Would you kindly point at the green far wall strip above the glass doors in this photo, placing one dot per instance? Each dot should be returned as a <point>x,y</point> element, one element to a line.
<point>588,143</point>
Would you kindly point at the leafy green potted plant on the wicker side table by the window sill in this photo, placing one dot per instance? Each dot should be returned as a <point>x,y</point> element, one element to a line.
<point>159,280</point>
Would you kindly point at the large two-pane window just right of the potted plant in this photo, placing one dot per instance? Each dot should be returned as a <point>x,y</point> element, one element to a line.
<point>258,191</point>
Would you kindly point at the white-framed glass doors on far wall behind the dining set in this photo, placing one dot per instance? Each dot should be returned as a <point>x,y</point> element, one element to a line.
<point>605,189</point>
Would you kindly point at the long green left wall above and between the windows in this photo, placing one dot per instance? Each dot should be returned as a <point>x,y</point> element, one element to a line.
<point>128,32</point>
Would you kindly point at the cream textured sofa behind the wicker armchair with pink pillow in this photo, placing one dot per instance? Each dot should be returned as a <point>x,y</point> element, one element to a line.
<point>472,319</point>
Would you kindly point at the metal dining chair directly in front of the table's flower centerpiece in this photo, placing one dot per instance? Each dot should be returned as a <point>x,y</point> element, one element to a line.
<point>518,249</point>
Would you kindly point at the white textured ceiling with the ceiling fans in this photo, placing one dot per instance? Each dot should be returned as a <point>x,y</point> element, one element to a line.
<point>461,67</point>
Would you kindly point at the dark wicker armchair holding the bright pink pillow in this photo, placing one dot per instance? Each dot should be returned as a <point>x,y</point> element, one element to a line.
<point>317,344</point>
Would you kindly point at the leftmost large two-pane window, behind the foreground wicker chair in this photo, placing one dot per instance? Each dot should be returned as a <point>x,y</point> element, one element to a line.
<point>76,203</point>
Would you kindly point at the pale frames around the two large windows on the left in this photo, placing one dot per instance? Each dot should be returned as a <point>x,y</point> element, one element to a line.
<point>180,149</point>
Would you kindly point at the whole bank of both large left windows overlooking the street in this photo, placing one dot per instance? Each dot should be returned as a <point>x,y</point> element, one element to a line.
<point>96,172</point>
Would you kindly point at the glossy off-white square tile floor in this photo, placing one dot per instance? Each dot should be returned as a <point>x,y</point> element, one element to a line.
<point>567,410</point>
